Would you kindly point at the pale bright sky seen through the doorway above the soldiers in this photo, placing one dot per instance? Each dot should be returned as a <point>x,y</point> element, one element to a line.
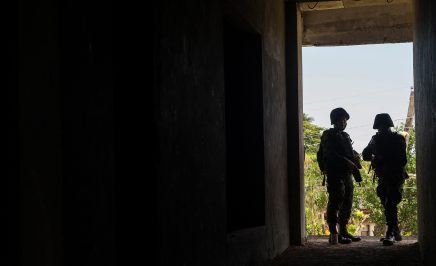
<point>364,79</point>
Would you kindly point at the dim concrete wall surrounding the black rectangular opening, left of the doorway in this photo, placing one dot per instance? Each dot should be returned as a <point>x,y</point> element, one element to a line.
<point>191,169</point>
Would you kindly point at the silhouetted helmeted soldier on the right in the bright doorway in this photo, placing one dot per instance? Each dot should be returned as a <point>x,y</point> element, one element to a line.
<point>387,151</point>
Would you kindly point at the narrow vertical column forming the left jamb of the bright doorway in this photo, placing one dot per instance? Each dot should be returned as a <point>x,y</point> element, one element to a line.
<point>294,106</point>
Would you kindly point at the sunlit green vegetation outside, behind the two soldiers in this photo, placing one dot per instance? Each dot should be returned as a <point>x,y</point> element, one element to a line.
<point>366,205</point>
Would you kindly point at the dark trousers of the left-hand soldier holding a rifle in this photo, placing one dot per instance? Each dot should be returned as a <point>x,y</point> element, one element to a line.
<point>340,189</point>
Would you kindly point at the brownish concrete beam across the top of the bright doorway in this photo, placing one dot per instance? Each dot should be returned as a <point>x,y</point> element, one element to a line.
<point>359,25</point>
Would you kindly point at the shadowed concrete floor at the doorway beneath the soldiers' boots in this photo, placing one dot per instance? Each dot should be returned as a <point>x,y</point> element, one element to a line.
<point>369,251</point>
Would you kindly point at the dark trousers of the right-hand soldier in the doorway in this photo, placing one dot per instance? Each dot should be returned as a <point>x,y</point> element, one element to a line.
<point>390,192</point>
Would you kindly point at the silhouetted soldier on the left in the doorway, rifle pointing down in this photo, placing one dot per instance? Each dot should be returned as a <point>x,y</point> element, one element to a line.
<point>338,160</point>
